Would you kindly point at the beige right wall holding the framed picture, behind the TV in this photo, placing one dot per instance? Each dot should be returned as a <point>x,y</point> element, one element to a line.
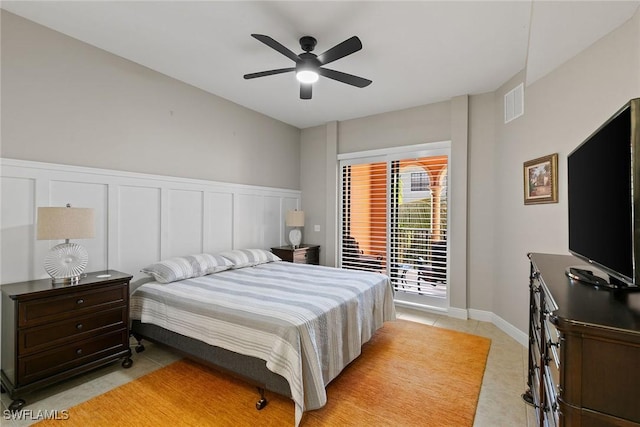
<point>560,111</point>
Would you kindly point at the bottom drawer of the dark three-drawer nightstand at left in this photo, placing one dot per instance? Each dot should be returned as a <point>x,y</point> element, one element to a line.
<point>60,359</point>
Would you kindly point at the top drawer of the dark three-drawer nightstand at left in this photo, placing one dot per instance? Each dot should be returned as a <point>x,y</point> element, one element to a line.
<point>49,309</point>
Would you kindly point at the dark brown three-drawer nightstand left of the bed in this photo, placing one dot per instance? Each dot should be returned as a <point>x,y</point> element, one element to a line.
<point>51,332</point>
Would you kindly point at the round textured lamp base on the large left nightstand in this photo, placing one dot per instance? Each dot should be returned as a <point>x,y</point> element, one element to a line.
<point>66,262</point>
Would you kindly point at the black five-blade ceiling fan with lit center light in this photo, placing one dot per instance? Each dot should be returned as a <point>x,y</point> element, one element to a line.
<point>309,66</point>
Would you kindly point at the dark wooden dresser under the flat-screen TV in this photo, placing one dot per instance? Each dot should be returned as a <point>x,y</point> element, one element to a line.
<point>584,349</point>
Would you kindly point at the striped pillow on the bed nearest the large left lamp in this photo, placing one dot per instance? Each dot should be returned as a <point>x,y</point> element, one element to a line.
<point>179,268</point>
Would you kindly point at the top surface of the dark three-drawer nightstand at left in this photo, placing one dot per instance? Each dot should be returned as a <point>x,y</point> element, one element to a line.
<point>45,286</point>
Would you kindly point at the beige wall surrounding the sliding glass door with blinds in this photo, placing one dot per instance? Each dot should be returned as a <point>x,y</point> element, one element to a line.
<point>429,123</point>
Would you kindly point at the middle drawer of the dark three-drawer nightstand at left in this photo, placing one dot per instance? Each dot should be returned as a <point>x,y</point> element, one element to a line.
<point>46,336</point>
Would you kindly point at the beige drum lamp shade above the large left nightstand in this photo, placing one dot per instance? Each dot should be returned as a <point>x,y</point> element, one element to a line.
<point>65,223</point>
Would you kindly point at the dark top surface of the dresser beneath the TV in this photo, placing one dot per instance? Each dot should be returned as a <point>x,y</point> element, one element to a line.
<point>578,302</point>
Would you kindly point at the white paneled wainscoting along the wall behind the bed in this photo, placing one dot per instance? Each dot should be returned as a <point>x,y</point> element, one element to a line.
<point>140,218</point>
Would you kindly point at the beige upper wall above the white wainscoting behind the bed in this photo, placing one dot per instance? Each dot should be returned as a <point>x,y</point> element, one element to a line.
<point>64,101</point>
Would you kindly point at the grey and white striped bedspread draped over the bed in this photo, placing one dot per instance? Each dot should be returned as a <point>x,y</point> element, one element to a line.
<point>306,321</point>
